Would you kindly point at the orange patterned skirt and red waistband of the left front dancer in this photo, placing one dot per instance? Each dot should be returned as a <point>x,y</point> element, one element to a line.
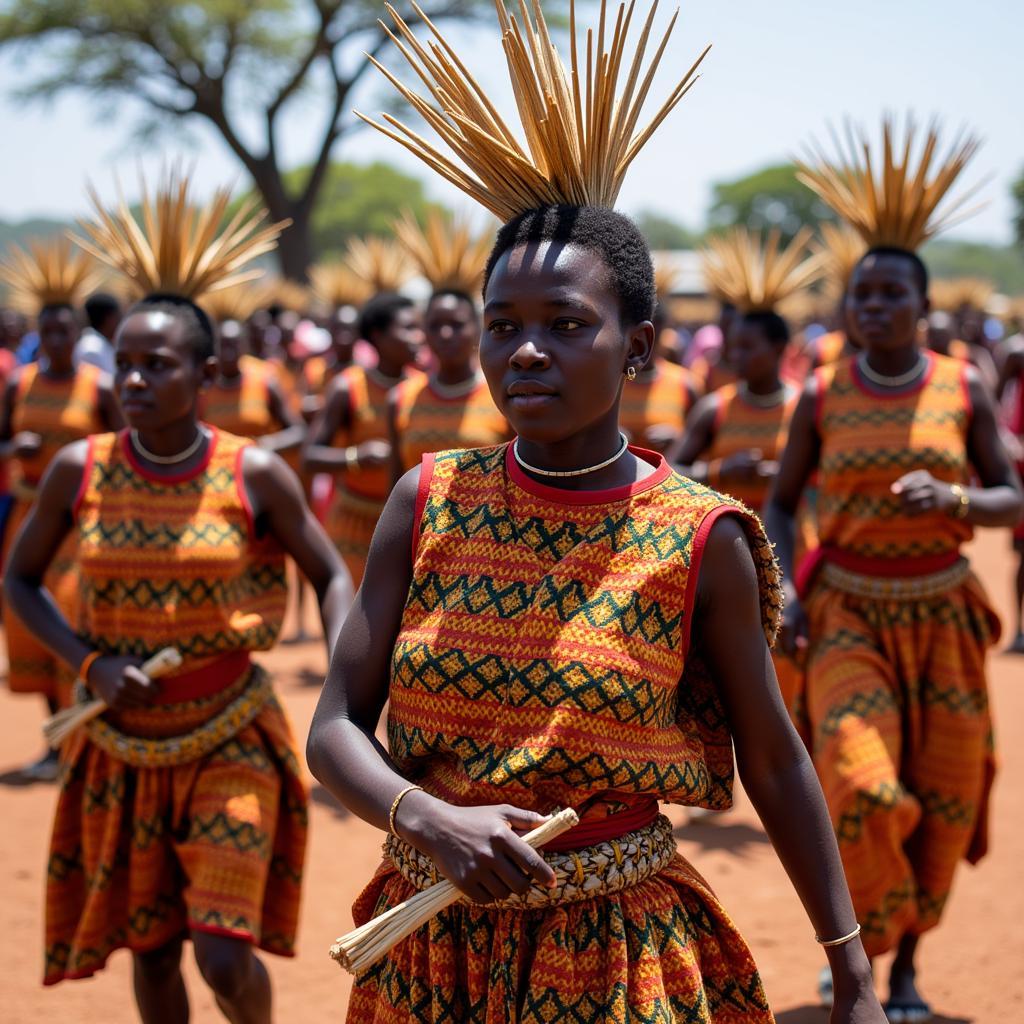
<point>141,857</point>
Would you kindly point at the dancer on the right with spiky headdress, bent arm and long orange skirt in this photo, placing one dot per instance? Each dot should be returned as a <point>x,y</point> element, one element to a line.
<point>898,625</point>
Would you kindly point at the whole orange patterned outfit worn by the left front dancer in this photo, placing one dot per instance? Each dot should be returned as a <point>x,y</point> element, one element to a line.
<point>189,815</point>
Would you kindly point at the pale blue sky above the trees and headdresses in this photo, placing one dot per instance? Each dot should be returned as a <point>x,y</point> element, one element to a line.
<point>778,74</point>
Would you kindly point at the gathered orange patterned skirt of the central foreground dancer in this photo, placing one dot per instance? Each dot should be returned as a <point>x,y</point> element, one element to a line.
<point>662,951</point>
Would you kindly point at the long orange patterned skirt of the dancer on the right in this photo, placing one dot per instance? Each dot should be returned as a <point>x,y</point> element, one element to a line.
<point>903,743</point>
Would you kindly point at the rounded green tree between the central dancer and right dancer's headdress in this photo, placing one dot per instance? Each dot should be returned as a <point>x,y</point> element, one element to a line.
<point>770,198</point>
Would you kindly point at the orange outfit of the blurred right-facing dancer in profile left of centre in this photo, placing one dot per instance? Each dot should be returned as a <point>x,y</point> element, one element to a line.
<point>361,494</point>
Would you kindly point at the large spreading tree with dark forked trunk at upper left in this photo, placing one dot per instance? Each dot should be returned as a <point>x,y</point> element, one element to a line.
<point>237,65</point>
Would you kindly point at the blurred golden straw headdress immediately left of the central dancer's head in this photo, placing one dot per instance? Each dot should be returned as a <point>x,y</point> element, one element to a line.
<point>446,251</point>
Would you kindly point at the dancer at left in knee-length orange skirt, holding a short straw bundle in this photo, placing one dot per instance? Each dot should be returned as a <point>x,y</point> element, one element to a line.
<point>183,809</point>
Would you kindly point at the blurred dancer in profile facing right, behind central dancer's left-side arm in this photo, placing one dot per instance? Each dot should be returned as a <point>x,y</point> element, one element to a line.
<point>350,439</point>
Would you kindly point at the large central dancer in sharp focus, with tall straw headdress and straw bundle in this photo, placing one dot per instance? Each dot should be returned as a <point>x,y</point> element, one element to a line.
<point>573,625</point>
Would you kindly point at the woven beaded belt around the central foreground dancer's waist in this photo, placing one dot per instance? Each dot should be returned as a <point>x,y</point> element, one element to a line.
<point>595,871</point>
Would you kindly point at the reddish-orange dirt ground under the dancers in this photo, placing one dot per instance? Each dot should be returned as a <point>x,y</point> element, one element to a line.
<point>971,967</point>
